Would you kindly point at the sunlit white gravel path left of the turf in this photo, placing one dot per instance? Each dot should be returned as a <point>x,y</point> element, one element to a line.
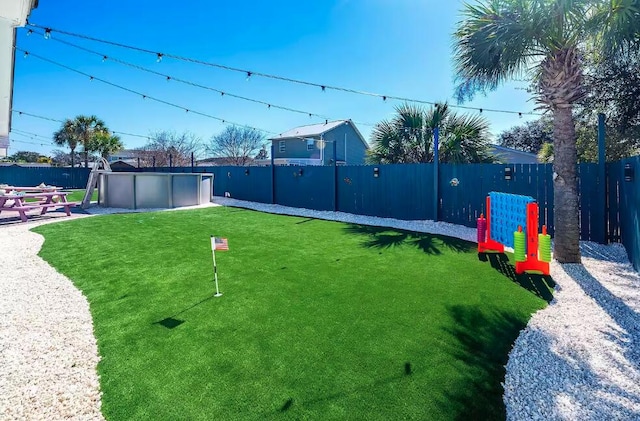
<point>48,354</point>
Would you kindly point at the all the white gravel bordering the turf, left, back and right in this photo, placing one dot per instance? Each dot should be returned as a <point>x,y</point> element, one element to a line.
<point>578,359</point>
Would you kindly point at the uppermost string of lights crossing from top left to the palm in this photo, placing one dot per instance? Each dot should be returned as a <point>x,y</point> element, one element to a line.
<point>271,76</point>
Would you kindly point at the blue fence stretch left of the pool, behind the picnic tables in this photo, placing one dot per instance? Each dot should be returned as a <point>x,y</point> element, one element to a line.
<point>68,178</point>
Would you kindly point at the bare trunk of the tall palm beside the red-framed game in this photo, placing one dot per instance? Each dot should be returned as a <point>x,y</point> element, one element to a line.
<point>565,188</point>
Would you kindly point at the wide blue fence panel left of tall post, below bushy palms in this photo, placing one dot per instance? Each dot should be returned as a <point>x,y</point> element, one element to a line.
<point>399,191</point>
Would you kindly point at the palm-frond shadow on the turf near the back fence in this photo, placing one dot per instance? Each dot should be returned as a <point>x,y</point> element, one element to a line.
<point>384,238</point>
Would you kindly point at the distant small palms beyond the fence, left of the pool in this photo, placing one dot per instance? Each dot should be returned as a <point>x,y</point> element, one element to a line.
<point>79,131</point>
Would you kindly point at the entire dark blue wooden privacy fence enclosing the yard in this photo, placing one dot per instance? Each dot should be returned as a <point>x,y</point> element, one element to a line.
<point>609,212</point>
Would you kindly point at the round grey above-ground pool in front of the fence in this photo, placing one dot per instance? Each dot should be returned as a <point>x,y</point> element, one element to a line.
<point>132,190</point>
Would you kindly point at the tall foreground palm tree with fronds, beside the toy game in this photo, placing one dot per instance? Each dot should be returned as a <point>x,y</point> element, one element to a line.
<point>544,41</point>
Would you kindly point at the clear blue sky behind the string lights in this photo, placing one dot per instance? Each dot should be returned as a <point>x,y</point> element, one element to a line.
<point>394,47</point>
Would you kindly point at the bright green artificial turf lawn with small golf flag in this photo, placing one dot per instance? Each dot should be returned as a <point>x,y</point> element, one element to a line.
<point>319,320</point>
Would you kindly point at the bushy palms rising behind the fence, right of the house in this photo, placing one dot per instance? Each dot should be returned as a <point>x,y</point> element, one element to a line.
<point>408,137</point>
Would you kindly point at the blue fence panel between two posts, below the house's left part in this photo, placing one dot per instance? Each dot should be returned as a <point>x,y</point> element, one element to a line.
<point>310,187</point>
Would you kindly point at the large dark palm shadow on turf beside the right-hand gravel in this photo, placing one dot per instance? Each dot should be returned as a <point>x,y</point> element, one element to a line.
<point>481,341</point>
